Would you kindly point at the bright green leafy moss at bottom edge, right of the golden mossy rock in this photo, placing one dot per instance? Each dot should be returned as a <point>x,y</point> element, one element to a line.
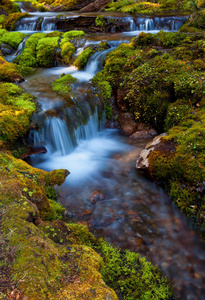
<point>131,275</point>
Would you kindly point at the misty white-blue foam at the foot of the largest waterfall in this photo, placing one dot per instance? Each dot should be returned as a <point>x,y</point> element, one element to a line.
<point>88,159</point>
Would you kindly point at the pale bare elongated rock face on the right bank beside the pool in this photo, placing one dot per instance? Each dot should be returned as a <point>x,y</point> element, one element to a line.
<point>142,162</point>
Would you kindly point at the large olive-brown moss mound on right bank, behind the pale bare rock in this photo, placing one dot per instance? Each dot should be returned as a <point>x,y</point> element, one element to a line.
<point>182,170</point>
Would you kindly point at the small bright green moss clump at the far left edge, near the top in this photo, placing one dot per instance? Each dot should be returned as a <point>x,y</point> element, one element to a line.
<point>11,38</point>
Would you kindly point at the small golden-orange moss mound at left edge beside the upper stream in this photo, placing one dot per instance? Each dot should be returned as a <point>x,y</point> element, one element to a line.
<point>9,72</point>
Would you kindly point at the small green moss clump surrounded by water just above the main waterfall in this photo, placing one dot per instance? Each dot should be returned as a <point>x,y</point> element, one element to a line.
<point>63,84</point>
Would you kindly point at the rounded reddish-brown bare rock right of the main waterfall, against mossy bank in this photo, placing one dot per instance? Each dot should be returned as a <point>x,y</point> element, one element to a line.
<point>127,124</point>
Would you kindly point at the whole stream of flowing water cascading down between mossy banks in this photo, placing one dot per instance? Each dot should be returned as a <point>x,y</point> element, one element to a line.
<point>104,189</point>
